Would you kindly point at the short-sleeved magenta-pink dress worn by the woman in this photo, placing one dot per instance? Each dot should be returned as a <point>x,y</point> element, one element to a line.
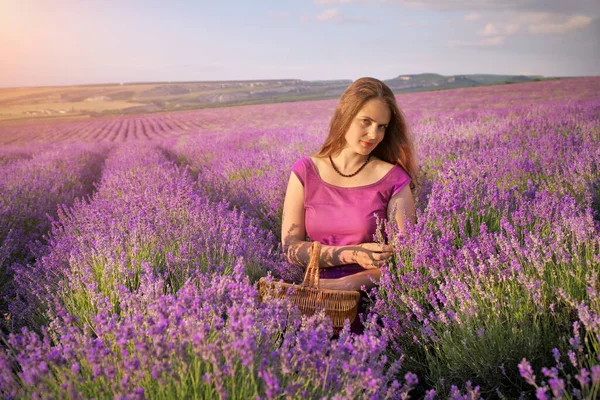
<point>340,216</point>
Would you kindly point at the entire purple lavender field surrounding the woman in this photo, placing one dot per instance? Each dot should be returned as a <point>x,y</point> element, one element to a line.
<point>130,248</point>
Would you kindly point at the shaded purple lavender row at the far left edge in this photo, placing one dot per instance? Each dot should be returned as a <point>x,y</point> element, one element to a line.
<point>31,190</point>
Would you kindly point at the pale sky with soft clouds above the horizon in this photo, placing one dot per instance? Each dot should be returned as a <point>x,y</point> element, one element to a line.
<point>46,43</point>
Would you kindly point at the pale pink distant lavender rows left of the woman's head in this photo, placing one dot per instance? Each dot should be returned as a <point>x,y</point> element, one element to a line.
<point>158,126</point>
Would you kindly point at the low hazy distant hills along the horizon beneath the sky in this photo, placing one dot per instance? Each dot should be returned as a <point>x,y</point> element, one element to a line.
<point>83,101</point>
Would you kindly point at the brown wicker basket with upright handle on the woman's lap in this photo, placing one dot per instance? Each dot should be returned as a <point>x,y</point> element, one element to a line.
<point>339,305</point>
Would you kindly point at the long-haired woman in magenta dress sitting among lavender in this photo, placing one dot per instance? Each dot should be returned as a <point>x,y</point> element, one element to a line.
<point>363,171</point>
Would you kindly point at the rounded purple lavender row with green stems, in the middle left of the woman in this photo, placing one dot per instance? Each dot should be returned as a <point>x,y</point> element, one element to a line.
<point>144,213</point>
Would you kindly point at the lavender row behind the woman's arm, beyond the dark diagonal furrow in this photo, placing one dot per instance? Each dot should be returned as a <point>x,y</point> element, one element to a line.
<point>242,168</point>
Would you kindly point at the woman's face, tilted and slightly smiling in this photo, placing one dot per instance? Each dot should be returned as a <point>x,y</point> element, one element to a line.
<point>368,127</point>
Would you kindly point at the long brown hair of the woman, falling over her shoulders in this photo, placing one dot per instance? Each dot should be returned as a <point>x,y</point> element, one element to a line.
<point>396,146</point>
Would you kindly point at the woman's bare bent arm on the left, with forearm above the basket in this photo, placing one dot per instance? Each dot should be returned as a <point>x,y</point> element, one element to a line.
<point>296,248</point>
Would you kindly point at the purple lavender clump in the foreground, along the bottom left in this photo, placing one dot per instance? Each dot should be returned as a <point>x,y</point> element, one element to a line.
<point>211,339</point>
